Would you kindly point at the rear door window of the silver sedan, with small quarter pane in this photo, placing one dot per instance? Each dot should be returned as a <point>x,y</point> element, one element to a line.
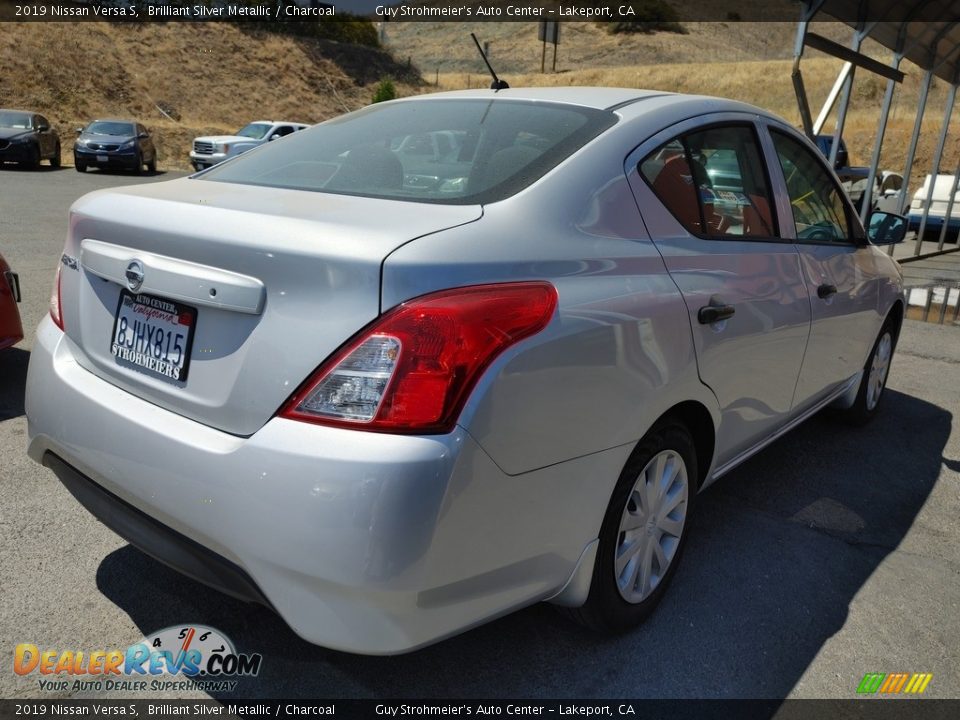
<point>714,183</point>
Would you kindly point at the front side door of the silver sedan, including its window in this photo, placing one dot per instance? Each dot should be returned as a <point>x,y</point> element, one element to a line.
<point>839,268</point>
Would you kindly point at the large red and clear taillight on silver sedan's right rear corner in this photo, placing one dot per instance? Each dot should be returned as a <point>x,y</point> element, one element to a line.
<point>412,370</point>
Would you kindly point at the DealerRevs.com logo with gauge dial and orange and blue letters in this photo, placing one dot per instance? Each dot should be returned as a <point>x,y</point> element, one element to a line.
<point>182,657</point>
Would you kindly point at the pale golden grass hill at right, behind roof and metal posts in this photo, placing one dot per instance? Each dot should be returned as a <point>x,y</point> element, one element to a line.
<point>745,61</point>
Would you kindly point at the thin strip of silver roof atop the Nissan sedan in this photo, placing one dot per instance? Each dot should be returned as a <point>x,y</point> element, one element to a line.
<point>600,98</point>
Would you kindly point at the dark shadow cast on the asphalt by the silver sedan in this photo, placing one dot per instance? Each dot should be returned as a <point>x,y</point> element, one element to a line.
<point>781,547</point>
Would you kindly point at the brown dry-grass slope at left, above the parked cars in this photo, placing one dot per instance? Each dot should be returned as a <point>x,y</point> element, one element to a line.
<point>209,78</point>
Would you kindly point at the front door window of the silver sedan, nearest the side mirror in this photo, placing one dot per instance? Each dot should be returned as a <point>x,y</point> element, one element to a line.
<point>819,211</point>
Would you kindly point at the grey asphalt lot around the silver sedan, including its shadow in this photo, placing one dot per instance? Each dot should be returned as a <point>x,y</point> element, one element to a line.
<point>833,553</point>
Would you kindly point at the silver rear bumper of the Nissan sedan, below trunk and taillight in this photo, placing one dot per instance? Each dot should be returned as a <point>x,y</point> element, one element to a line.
<point>364,542</point>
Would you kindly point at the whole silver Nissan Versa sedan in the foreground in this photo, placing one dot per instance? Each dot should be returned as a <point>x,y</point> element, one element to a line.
<point>395,393</point>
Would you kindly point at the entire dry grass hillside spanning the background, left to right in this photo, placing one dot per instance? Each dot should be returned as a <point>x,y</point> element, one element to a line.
<point>217,77</point>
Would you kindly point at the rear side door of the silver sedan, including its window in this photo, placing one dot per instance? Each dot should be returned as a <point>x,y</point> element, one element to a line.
<point>704,193</point>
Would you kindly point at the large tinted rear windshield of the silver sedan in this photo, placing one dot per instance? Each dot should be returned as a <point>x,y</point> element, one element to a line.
<point>455,152</point>
